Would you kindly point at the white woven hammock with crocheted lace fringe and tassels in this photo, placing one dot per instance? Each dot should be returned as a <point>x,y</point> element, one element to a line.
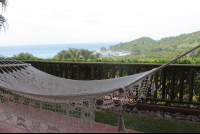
<point>40,102</point>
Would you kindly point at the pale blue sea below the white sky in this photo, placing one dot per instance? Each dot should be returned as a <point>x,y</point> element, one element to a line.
<point>49,51</point>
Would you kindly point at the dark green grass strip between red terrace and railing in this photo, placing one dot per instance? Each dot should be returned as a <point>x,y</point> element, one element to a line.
<point>147,124</point>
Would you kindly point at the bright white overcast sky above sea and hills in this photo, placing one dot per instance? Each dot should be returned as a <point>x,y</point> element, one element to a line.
<point>39,22</point>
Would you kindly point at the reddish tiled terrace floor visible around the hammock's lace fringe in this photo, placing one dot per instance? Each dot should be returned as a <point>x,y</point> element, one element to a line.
<point>98,128</point>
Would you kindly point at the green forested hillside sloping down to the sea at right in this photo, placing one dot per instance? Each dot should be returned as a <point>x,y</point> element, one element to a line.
<point>169,47</point>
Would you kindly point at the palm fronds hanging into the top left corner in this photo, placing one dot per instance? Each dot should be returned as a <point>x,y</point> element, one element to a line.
<point>3,21</point>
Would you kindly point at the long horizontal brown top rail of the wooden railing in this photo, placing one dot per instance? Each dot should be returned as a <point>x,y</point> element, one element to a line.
<point>112,63</point>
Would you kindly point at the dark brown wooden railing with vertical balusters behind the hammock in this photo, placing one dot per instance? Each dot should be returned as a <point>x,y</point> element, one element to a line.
<point>177,84</point>
